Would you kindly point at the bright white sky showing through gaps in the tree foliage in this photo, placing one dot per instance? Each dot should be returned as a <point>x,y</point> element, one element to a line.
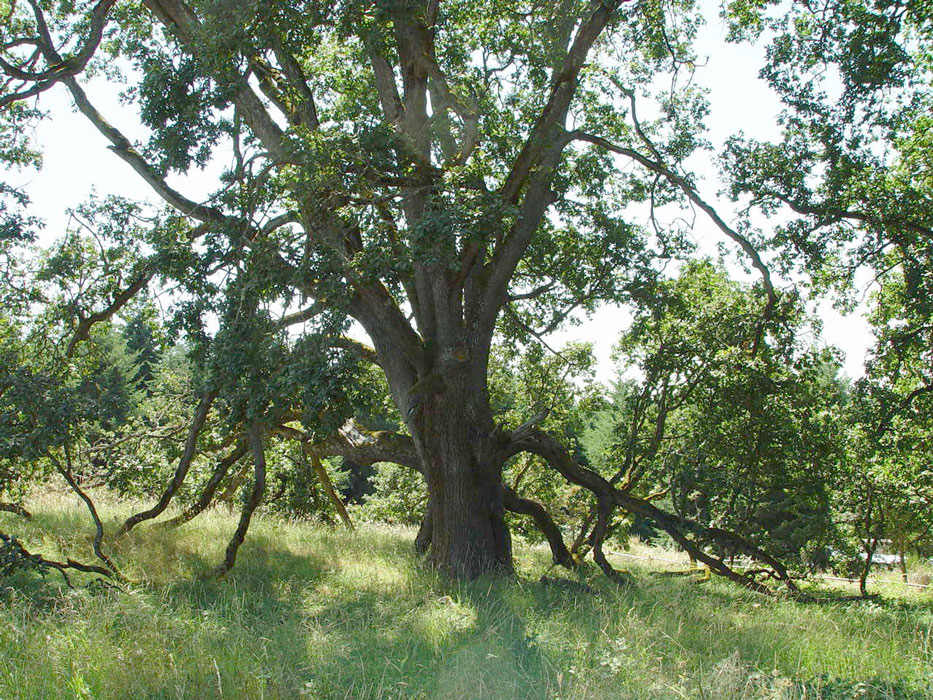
<point>76,163</point>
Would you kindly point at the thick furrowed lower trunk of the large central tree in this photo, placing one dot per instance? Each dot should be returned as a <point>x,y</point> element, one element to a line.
<point>468,534</point>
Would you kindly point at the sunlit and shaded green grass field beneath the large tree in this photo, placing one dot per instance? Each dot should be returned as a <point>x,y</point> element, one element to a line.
<point>311,612</point>
